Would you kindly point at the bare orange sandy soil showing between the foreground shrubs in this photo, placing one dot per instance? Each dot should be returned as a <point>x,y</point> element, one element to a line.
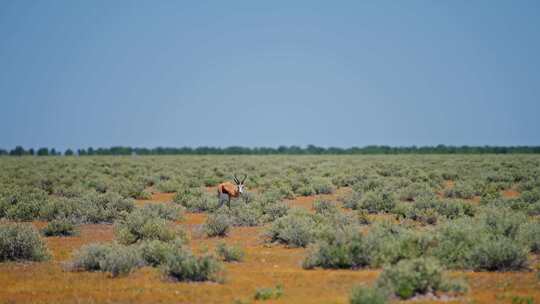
<point>265,266</point>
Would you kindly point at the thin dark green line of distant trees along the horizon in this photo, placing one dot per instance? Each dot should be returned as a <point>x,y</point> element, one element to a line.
<point>285,150</point>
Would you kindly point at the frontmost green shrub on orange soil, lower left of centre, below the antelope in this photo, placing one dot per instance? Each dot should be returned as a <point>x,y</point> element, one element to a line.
<point>184,266</point>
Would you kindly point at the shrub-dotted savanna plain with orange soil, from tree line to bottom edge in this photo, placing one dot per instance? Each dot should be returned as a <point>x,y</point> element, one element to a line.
<point>308,229</point>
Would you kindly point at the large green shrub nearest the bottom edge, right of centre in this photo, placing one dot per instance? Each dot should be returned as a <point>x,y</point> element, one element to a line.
<point>410,277</point>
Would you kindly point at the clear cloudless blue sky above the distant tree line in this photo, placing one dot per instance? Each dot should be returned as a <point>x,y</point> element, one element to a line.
<point>253,73</point>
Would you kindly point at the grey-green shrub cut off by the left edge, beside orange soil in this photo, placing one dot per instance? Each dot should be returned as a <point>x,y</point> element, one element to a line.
<point>19,242</point>
